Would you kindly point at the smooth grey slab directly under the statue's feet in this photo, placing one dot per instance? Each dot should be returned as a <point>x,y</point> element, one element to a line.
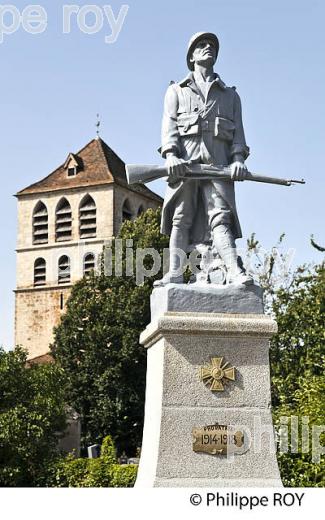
<point>234,299</point>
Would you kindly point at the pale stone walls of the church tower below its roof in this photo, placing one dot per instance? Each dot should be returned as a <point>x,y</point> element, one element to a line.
<point>39,309</point>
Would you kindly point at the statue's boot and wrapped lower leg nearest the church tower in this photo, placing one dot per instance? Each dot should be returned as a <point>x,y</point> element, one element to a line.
<point>178,245</point>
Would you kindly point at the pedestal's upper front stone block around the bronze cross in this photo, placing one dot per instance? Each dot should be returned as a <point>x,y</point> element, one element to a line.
<point>182,362</point>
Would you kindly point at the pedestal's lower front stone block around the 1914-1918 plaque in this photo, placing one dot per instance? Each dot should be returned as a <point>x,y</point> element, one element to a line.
<point>178,460</point>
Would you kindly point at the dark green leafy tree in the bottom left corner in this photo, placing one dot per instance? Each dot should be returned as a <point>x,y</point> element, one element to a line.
<point>32,414</point>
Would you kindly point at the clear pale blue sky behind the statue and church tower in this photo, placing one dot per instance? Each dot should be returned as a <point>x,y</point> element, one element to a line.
<point>53,84</point>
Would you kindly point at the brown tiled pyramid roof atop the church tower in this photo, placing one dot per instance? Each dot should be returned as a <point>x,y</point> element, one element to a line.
<point>98,165</point>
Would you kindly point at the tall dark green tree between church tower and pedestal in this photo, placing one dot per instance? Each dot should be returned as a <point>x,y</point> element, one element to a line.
<point>97,343</point>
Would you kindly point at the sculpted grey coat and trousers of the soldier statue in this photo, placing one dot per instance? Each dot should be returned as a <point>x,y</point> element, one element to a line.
<point>203,127</point>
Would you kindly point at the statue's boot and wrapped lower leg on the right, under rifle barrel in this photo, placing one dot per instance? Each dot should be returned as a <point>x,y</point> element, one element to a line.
<point>224,243</point>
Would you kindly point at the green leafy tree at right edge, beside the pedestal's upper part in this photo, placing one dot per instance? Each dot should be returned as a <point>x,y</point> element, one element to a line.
<point>298,349</point>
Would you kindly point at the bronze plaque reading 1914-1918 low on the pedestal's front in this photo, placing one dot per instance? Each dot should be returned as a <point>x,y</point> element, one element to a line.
<point>217,439</point>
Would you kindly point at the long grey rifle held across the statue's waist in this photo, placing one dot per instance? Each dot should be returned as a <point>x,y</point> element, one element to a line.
<point>140,173</point>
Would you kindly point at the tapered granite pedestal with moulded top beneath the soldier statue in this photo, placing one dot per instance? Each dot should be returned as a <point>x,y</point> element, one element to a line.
<point>179,344</point>
